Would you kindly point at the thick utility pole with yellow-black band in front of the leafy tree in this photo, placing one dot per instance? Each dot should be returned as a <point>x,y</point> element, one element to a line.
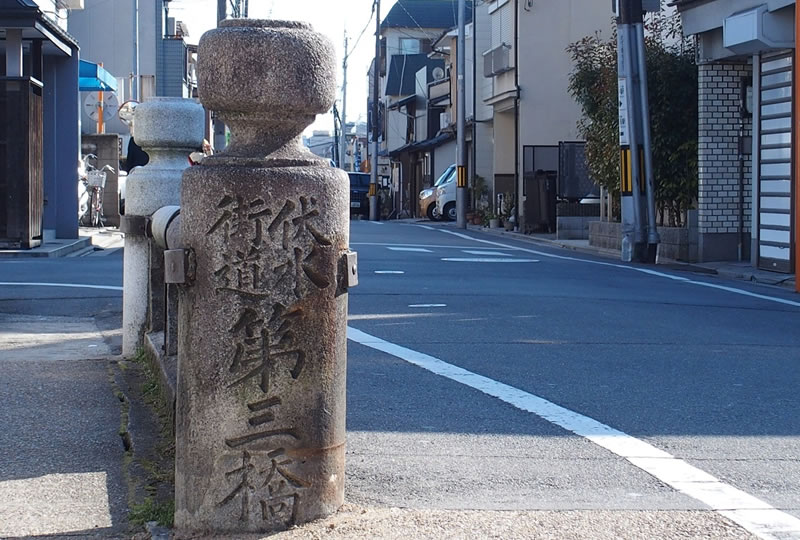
<point>639,238</point>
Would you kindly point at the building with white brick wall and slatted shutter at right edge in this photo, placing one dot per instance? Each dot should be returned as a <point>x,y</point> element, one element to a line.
<point>747,204</point>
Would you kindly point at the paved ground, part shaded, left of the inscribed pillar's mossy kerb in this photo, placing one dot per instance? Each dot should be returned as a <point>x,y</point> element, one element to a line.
<point>61,458</point>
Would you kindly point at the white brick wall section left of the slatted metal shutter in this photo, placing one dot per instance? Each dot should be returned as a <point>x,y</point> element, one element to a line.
<point>718,160</point>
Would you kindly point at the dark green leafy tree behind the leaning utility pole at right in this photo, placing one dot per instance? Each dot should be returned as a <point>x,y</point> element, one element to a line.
<point>672,89</point>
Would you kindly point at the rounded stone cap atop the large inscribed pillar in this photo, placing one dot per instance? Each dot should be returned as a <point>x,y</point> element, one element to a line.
<point>267,79</point>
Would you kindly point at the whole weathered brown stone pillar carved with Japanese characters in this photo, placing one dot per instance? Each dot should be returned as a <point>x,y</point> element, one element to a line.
<point>262,327</point>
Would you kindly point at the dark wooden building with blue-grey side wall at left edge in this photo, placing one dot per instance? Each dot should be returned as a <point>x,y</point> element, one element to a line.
<point>40,179</point>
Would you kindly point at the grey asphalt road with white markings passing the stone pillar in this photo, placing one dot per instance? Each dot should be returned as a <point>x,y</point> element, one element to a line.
<point>558,381</point>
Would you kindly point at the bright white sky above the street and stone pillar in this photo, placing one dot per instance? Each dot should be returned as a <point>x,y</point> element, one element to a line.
<point>329,17</point>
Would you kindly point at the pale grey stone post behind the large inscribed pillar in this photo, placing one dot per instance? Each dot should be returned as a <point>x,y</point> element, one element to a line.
<point>168,129</point>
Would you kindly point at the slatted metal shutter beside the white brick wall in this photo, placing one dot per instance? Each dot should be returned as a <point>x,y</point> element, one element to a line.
<point>775,164</point>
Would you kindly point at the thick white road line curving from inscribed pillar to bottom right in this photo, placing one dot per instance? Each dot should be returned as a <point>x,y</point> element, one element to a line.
<point>752,513</point>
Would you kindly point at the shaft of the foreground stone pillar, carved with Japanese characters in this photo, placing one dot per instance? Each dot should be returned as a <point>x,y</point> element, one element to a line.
<point>262,359</point>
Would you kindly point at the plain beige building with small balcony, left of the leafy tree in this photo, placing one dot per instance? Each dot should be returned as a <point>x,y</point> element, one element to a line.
<point>527,71</point>
